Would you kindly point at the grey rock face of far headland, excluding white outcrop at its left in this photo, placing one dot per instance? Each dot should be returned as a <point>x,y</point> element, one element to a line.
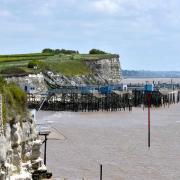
<point>103,71</point>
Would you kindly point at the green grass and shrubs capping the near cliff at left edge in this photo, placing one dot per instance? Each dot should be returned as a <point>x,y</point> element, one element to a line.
<point>14,101</point>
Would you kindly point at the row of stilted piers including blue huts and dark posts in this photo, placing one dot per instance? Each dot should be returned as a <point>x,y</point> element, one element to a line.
<point>96,98</point>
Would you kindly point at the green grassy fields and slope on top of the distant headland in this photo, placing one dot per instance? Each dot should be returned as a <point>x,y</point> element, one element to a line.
<point>67,64</point>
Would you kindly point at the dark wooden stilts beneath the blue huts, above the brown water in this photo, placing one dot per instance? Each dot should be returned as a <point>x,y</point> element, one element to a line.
<point>115,101</point>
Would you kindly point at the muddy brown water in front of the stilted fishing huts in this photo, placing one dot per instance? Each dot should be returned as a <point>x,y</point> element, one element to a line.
<point>80,142</point>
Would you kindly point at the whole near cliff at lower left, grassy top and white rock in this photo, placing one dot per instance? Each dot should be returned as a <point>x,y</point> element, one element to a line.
<point>20,145</point>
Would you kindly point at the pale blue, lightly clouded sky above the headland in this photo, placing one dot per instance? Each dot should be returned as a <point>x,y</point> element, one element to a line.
<point>145,33</point>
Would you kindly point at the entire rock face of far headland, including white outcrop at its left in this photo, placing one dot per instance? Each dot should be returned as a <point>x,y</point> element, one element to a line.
<point>103,71</point>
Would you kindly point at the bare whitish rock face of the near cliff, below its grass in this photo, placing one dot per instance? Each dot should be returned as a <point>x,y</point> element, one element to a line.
<point>19,150</point>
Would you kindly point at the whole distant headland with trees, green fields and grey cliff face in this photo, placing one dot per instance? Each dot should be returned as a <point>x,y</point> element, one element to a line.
<point>66,66</point>
